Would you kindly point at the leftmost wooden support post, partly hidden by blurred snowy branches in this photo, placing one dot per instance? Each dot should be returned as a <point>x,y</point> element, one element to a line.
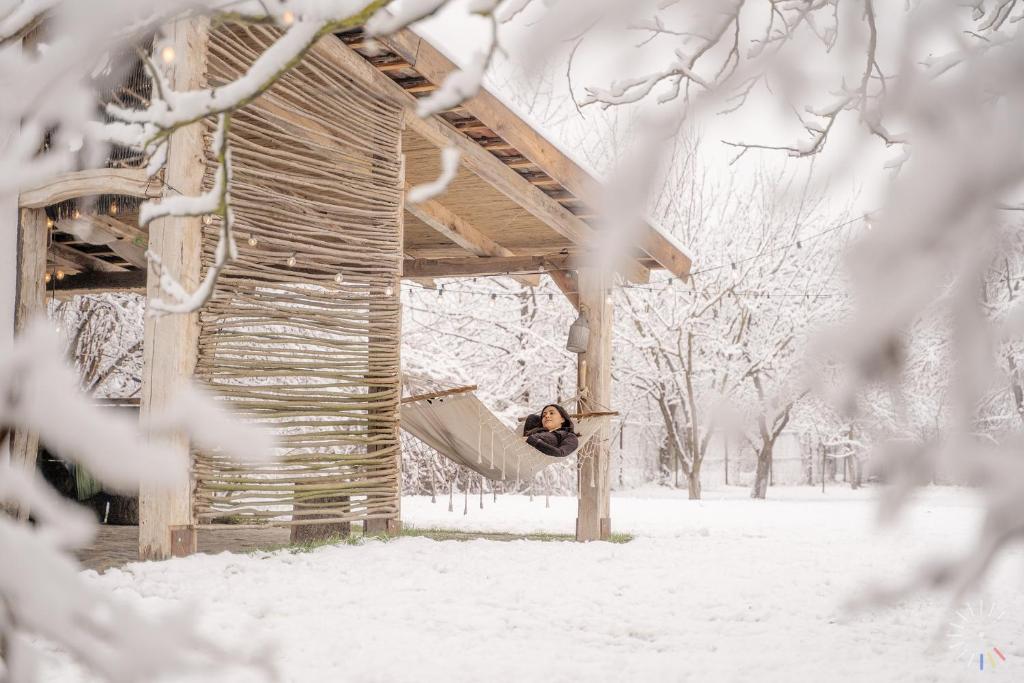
<point>30,302</point>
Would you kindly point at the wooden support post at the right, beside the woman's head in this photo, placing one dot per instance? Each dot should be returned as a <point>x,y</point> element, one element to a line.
<point>594,518</point>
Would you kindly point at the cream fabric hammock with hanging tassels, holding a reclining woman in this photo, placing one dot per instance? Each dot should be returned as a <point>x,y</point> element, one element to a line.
<point>461,429</point>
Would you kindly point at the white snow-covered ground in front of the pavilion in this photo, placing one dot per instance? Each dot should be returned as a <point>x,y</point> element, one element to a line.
<point>726,589</point>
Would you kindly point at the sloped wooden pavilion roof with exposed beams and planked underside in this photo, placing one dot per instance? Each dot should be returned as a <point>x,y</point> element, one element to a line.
<point>519,204</point>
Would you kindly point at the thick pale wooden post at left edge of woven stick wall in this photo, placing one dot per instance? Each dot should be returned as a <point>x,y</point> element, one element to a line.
<point>172,341</point>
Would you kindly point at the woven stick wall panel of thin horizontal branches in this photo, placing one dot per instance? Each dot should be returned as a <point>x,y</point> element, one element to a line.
<point>317,196</point>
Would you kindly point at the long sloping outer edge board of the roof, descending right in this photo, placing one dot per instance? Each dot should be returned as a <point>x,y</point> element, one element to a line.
<point>434,66</point>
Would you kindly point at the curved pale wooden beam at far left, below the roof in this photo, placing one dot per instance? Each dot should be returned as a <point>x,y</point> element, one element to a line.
<point>131,182</point>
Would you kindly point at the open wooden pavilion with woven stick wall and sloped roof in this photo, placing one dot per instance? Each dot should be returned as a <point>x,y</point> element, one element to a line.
<point>305,331</point>
